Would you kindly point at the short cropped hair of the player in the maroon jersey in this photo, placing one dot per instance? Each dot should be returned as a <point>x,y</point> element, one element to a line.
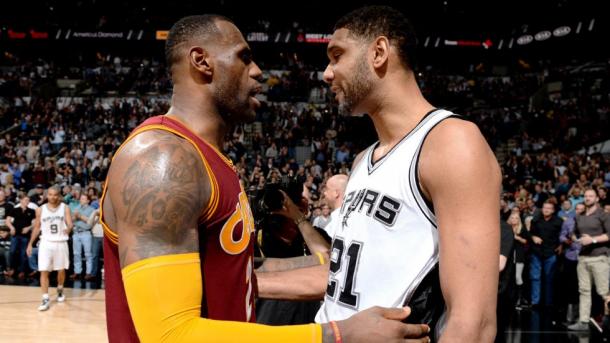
<point>186,29</point>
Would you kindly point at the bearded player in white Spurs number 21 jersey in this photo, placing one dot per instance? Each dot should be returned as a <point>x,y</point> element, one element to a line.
<point>420,212</point>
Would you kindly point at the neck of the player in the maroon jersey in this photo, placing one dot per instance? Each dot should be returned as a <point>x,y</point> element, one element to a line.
<point>200,116</point>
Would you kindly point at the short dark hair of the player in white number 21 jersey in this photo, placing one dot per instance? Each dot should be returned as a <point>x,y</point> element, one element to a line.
<point>372,21</point>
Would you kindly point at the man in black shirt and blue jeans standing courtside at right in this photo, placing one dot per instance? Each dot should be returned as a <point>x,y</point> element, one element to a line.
<point>544,235</point>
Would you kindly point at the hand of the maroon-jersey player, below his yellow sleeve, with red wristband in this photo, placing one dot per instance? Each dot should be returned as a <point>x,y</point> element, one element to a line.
<point>379,324</point>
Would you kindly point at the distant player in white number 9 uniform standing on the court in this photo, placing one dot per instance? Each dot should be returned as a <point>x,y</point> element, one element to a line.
<point>54,223</point>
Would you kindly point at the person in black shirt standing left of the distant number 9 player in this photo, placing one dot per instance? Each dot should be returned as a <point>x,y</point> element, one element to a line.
<point>20,222</point>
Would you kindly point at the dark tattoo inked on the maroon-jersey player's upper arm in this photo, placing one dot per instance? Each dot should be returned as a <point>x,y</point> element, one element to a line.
<point>163,195</point>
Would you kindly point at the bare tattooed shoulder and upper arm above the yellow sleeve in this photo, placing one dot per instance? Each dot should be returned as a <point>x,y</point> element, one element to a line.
<point>157,191</point>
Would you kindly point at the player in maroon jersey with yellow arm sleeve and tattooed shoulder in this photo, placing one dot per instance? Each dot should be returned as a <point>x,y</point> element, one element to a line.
<point>178,228</point>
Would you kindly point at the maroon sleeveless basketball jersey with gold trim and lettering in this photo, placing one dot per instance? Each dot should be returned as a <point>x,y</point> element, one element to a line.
<point>226,236</point>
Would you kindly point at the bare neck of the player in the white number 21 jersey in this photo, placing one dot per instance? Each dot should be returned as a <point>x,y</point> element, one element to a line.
<point>398,111</point>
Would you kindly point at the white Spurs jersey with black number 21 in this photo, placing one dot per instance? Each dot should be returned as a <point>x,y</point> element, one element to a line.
<point>385,244</point>
